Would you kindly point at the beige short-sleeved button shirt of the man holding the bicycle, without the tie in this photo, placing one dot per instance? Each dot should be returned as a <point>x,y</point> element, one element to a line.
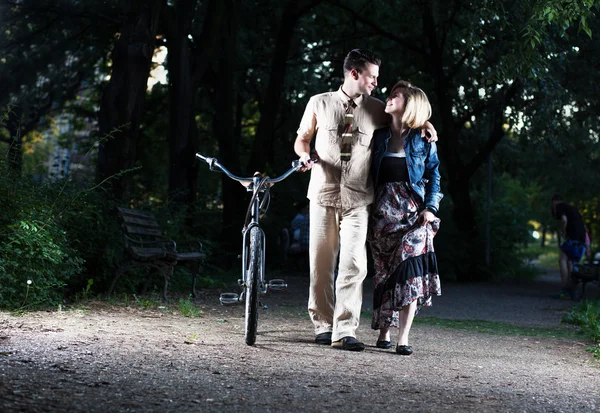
<point>333,182</point>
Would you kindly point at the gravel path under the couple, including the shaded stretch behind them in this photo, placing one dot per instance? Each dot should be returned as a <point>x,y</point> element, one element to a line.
<point>116,359</point>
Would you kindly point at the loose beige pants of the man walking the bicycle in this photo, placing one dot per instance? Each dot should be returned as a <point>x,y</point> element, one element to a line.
<point>337,312</point>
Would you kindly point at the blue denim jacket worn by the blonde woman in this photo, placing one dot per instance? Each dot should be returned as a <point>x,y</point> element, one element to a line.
<point>422,162</point>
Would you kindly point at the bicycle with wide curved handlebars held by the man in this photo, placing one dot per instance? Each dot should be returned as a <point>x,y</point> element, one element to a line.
<point>252,283</point>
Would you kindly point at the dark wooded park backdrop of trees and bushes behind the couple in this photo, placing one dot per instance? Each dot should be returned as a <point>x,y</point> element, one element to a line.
<point>105,103</point>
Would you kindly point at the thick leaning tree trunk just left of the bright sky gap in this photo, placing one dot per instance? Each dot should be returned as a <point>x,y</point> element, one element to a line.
<point>122,103</point>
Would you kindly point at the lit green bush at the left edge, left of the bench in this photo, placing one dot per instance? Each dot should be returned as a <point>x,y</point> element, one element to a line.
<point>48,231</point>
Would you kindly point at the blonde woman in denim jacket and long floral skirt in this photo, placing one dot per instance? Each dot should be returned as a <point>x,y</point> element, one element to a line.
<point>405,171</point>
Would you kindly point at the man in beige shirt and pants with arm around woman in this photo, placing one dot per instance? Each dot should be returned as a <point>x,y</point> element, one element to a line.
<point>340,192</point>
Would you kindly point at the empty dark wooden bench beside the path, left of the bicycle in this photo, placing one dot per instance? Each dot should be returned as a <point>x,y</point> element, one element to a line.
<point>146,246</point>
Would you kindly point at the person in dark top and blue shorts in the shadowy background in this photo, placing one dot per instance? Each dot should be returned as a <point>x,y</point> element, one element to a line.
<point>572,229</point>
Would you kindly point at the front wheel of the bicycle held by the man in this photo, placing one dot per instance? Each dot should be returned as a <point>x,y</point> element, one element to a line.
<point>252,284</point>
